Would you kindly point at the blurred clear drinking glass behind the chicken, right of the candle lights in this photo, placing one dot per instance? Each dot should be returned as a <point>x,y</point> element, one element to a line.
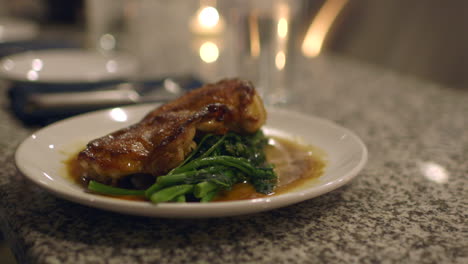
<point>264,44</point>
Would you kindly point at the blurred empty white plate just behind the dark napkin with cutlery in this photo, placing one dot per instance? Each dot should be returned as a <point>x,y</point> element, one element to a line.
<point>66,66</point>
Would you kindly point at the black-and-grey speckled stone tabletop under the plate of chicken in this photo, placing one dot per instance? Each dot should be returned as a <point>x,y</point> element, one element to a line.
<point>391,213</point>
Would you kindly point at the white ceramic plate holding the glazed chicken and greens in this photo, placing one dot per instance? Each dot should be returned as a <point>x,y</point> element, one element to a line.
<point>41,158</point>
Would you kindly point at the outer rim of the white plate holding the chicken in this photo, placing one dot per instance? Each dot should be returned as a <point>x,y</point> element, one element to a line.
<point>202,210</point>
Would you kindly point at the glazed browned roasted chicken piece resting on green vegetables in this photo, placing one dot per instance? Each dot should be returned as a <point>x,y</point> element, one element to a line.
<point>165,136</point>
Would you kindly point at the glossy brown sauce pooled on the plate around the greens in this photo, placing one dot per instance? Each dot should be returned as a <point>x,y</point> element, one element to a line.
<point>296,164</point>
